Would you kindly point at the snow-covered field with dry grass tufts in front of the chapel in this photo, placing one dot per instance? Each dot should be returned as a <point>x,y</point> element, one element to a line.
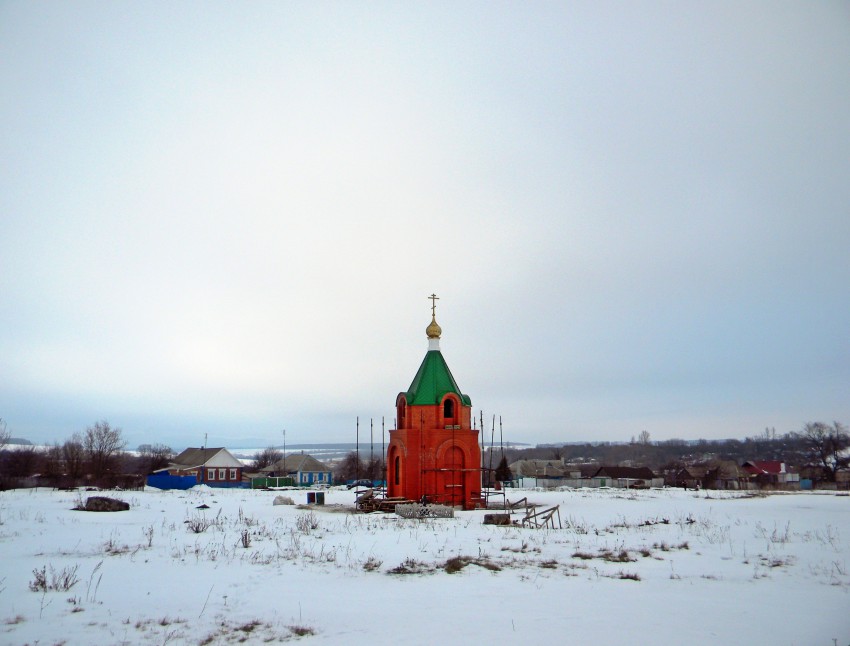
<point>645,567</point>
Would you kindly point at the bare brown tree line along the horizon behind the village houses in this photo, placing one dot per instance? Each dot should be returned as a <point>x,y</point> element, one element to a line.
<point>97,456</point>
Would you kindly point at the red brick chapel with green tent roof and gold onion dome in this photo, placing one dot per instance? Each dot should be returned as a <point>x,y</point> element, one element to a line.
<point>434,453</point>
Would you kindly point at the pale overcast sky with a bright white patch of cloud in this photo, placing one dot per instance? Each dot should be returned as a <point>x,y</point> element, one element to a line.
<point>226,218</point>
